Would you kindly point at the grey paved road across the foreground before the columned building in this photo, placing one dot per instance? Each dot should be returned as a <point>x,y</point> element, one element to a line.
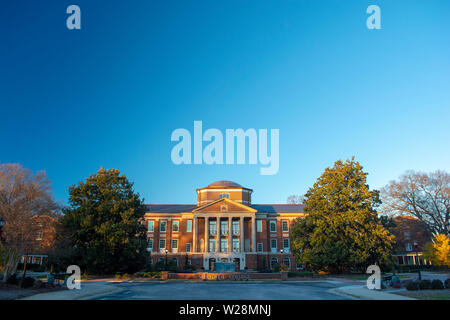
<point>225,291</point>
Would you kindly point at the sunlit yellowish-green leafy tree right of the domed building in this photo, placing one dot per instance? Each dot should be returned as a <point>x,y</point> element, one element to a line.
<point>341,230</point>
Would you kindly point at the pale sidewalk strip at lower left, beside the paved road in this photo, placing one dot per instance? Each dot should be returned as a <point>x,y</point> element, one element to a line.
<point>88,290</point>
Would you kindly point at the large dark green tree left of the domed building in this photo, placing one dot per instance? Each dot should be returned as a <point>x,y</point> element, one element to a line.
<point>101,230</point>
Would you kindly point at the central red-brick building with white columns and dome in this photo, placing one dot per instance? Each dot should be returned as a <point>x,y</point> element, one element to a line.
<point>224,226</point>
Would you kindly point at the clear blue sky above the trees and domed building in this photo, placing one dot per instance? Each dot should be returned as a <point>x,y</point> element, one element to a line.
<point>111,93</point>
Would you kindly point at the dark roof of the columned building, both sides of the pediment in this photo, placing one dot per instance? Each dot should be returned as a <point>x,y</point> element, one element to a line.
<point>263,208</point>
